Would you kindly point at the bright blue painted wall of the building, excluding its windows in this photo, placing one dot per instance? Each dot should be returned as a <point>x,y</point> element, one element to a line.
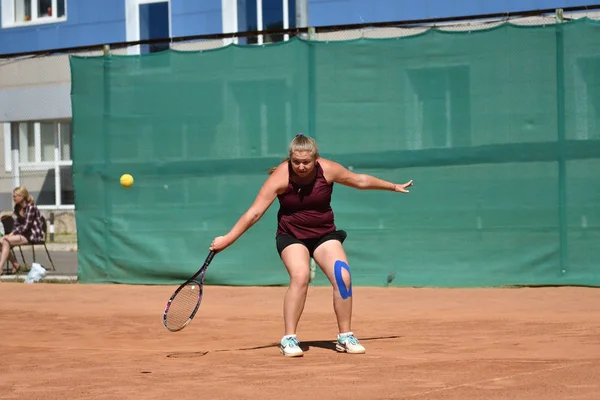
<point>89,24</point>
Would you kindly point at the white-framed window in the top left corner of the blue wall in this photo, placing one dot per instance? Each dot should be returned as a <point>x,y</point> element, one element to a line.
<point>20,12</point>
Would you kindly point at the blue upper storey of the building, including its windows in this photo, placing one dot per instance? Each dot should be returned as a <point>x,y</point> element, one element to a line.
<point>35,25</point>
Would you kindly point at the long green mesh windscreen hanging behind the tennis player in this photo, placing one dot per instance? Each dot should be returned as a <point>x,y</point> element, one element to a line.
<point>498,128</point>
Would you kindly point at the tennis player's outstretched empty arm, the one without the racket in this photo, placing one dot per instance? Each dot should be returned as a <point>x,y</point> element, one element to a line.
<point>339,174</point>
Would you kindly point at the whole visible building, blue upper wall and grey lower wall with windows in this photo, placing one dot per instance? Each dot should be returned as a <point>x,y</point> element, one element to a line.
<point>35,108</point>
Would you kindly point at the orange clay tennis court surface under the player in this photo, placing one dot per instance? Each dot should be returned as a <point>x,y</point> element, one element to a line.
<point>74,341</point>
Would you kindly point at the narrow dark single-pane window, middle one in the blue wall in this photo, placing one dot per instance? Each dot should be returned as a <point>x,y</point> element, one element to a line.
<point>154,24</point>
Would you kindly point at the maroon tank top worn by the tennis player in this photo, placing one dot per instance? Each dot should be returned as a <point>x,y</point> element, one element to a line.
<point>305,210</point>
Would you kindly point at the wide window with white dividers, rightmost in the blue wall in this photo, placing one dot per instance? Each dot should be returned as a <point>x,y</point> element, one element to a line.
<point>258,15</point>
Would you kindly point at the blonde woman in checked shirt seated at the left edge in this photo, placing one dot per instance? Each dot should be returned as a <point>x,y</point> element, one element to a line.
<point>27,229</point>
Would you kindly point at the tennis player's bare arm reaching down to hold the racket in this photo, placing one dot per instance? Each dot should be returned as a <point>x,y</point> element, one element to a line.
<point>275,183</point>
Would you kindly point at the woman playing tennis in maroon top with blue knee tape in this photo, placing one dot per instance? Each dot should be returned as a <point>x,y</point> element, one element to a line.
<point>303,184</point>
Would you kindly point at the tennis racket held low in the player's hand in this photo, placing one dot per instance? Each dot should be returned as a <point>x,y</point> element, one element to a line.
<point>185,301</point>
